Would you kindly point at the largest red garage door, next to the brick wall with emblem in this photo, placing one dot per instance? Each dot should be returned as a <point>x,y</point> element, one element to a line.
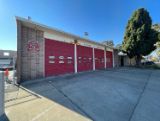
<point>59,57</point>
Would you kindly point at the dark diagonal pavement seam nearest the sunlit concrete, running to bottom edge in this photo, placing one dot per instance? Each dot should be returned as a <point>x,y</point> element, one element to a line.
<point>77,106</point>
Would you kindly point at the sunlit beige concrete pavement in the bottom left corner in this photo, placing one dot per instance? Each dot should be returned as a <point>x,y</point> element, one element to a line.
<point>31,107</point>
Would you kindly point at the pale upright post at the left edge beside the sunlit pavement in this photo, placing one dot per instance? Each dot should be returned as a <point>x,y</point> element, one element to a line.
<point>1,94</point>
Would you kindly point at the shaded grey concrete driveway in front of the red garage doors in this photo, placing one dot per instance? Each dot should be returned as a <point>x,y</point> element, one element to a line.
<point>125,94</point>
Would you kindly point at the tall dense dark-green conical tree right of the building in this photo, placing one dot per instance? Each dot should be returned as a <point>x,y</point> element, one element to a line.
<point>139,38</point>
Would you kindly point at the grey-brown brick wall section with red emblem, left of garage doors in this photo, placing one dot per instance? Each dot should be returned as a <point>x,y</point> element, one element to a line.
<point>31,57</point>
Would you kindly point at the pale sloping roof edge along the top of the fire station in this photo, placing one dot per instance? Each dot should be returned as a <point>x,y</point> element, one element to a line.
<point>58,30</point>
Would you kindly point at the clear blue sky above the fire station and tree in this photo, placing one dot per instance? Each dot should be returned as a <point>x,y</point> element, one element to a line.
<point>102,19</point>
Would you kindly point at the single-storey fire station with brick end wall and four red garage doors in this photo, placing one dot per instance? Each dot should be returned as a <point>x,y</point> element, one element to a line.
<point>44,51</point>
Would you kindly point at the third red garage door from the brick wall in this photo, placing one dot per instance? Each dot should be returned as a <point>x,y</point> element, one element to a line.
<point>99,58</point>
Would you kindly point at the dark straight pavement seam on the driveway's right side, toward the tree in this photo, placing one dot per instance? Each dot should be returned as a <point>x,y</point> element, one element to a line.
<point>140,96</point>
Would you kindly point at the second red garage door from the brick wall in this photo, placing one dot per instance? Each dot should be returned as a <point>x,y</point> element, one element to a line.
<point>84,58</point>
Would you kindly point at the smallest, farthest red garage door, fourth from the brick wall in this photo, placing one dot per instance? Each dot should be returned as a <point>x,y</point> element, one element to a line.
<point>109,59</point>
